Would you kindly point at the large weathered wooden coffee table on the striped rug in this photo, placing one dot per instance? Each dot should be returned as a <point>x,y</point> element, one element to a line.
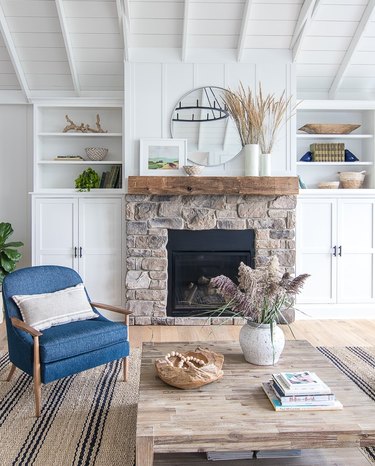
<point>234,414</point>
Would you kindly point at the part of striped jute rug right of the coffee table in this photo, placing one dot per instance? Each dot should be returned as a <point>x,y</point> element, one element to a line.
<point>357,363</point>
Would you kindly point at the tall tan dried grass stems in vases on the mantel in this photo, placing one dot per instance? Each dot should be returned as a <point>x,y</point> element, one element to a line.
<point>258,118</point>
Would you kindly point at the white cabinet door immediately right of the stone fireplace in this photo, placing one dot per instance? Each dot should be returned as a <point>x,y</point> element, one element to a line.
<point>315,234</point>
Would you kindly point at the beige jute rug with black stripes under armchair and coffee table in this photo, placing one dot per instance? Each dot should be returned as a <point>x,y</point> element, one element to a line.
<point>90,418</point>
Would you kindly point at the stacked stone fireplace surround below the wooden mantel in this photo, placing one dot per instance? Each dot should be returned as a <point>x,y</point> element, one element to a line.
<point>148,218</point>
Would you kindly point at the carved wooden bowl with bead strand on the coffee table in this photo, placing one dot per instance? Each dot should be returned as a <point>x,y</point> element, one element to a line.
<point>192,369</point>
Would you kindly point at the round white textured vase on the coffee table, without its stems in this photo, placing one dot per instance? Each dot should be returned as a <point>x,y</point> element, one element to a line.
<point>257,346</point>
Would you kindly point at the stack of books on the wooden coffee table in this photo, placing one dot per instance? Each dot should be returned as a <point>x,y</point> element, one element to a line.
<point>300,391</point>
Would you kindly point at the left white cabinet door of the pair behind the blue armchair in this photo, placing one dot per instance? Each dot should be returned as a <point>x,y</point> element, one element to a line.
<point>55,232</point>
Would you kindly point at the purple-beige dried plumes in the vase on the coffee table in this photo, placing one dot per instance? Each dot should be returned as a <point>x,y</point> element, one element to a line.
<point>261,294</point>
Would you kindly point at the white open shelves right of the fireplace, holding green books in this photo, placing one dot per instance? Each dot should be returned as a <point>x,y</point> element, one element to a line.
<point>360,142</point>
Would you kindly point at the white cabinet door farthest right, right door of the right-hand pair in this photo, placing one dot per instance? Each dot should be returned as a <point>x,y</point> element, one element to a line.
<point>355,260</point>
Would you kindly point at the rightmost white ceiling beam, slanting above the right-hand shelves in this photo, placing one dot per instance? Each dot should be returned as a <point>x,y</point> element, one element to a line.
<point>345,63</point>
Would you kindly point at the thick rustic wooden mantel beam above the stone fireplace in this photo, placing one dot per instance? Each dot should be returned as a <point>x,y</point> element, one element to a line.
<point>197,185</point>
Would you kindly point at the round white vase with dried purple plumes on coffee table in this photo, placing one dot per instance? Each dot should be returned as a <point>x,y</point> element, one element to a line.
<point>260,297</point>
